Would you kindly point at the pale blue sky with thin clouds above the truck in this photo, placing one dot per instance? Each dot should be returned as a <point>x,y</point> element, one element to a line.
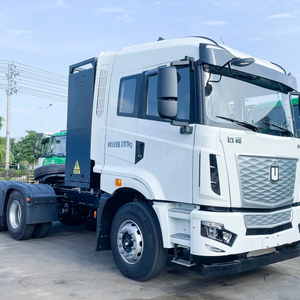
<point>51,35</point>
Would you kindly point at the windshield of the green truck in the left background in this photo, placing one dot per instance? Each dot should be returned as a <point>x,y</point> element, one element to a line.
<point>54,146</point>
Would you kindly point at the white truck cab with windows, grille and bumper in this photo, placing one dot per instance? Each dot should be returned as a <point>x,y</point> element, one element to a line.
<point>223,180</point>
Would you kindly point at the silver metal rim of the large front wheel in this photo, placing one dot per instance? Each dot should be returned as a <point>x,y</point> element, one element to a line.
<point>130,242</point>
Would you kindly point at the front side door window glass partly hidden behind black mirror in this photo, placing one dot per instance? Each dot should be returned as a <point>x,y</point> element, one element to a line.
<point>183,101</point>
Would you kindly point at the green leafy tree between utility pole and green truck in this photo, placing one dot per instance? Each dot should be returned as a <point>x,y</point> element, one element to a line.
<point>23,149</point>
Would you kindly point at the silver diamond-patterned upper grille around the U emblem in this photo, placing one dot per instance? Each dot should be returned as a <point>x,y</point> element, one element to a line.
<point>256,187</point>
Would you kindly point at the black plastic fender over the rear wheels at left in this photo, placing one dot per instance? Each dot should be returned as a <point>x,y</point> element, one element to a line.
<point>41,201</point>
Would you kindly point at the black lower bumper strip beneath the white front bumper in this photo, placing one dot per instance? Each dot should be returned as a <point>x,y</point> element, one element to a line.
<point>246,264</point>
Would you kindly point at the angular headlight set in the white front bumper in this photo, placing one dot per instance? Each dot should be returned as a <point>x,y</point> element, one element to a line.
<point>217,232</point>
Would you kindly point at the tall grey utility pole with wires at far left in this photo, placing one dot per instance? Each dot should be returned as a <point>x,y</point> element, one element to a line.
<point>11,89</point>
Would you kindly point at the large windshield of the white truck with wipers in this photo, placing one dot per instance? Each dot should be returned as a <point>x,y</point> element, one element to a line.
<point>237,103</point>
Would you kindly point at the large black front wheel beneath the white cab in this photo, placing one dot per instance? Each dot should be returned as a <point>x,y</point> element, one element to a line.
<point>144,245</point>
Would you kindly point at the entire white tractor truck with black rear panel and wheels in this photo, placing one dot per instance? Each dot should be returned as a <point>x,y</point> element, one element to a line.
<point>182,146</point>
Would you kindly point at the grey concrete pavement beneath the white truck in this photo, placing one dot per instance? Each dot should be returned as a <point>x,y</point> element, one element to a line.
<point>64,265</point>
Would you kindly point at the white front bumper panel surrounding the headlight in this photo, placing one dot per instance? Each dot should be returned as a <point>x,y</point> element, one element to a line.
<point>244,243</point>
